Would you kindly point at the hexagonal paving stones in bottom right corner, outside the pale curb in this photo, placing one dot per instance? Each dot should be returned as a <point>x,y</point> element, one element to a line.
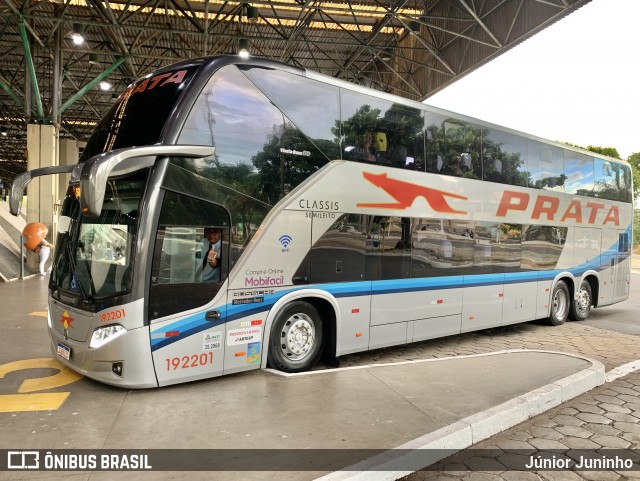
<point>580,427</point>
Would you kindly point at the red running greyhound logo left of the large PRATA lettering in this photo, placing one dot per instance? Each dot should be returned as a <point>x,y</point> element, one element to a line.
<point>406,193</point>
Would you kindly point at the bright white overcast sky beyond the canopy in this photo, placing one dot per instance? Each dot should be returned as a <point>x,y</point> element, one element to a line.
<point>576,81</point>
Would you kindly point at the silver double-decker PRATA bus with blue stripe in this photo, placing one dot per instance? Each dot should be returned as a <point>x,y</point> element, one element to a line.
<point>343,219</point>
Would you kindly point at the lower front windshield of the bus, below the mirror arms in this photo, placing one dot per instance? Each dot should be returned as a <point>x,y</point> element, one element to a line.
<point>95,255</point>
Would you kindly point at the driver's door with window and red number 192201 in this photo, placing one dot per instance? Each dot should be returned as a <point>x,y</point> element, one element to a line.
<point>185,303</point>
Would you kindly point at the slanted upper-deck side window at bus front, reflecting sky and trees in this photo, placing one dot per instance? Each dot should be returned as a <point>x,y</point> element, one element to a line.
<point>259,151</point>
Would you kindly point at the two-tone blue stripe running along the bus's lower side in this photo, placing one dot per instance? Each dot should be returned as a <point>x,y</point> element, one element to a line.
<point>196,323</point>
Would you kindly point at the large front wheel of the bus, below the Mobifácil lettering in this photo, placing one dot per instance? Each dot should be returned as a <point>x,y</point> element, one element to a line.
<point>295,343</point>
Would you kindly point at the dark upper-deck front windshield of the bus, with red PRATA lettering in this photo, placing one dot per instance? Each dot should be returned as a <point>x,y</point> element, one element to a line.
<point>140,113</point>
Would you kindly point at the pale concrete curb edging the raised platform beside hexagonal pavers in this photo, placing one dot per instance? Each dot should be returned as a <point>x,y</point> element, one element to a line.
<point>444,442</point>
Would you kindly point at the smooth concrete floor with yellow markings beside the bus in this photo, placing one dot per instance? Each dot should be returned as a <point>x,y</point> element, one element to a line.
<point>368,407</point>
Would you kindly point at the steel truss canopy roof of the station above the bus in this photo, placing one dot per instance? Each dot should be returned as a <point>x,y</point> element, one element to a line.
<point>409,48</point>
